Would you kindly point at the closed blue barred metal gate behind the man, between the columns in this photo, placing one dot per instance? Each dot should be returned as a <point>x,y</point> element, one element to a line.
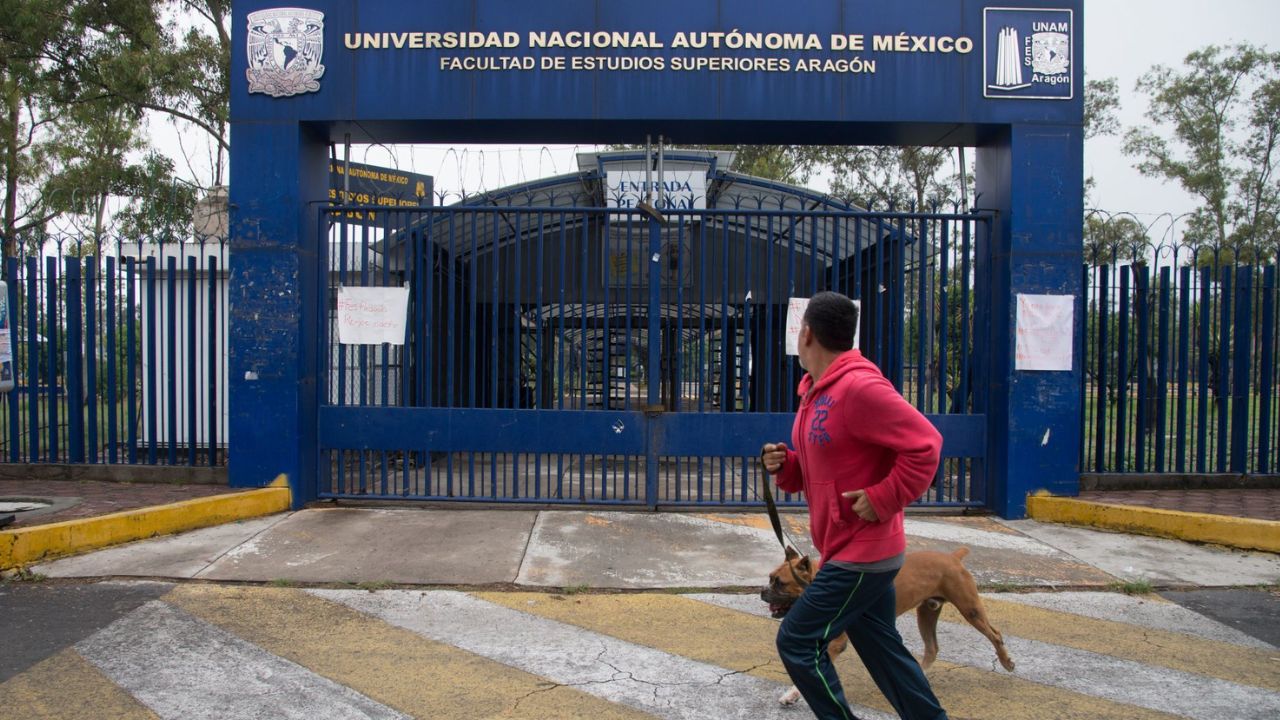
<point>605,357</point>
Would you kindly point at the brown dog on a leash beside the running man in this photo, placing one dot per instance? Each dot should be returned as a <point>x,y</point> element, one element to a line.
<point>926,581</point>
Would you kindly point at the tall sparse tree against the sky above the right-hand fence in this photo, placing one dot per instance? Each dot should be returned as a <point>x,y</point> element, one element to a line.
<point>1220,113</point>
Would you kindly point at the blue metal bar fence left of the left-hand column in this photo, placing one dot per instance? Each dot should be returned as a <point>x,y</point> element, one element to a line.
<point>120,353</point>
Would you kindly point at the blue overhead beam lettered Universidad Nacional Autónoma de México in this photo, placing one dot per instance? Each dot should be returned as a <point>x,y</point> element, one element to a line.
<point>911,62</point>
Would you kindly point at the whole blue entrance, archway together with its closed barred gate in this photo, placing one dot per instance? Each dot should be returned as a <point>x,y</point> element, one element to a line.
<point>842,72</point>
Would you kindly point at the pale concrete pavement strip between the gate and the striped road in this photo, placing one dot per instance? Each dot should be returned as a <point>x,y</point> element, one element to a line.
<point>574,549</point>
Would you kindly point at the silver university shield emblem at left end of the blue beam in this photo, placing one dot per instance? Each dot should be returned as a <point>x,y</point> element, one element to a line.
<point>285,51</point>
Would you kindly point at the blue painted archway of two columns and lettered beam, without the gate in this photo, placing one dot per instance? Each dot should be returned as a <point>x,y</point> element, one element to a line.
<point>853,72</point>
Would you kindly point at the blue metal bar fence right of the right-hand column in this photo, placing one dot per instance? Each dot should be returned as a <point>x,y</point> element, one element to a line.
<point>1180,370</point>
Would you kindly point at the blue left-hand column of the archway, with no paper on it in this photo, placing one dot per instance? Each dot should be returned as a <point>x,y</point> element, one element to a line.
<point>278,179</point>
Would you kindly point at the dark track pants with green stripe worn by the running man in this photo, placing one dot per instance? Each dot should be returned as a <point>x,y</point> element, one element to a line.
<point>862,605</point>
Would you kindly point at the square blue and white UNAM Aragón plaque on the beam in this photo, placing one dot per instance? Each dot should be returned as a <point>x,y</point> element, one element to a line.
<point>1028,54</point>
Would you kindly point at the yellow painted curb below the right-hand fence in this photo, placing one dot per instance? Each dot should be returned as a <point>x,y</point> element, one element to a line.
<point>1200,527</point>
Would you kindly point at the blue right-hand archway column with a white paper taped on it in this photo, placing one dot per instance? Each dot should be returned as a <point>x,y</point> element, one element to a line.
<point>1034,176</point>
